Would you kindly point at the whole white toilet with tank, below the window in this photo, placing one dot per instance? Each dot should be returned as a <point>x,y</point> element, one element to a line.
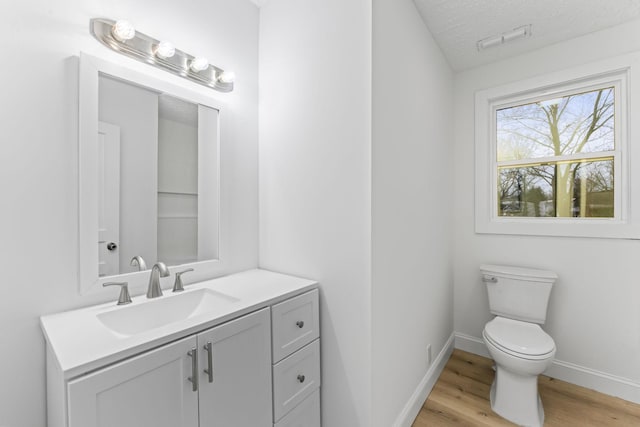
<point>516,342</point>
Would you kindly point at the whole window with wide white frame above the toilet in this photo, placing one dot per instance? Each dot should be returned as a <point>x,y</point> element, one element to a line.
<point>552,155</point>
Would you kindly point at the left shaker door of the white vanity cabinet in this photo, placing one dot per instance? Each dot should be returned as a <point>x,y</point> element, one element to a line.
<point>151,389</point>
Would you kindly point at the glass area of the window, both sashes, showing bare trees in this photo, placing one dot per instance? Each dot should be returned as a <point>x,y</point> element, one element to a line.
<point>556,157</point>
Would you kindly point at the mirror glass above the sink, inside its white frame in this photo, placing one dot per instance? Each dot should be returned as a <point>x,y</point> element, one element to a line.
<point>157,178</point>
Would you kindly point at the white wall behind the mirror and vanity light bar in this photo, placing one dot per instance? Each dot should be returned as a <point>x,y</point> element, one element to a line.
<point>38,160</point>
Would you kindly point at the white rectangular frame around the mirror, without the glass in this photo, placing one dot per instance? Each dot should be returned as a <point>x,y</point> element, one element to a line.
<point>90,69</point>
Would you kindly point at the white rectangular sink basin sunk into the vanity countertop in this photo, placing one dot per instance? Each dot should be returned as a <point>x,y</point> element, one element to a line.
<point>147,315</point>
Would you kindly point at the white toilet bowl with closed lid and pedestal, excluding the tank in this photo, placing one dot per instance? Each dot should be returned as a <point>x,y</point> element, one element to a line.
<point>522,351</point>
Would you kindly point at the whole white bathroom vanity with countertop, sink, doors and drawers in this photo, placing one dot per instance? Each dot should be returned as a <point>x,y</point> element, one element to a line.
<point>241,350</point>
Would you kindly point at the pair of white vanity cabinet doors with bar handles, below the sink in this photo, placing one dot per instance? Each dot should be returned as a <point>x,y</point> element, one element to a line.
<point>157,388</point>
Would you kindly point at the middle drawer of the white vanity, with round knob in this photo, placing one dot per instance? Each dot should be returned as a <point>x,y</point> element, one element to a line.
<point>295,378</point>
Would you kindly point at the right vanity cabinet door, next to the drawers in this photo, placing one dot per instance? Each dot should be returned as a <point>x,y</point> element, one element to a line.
<point>238,392</point>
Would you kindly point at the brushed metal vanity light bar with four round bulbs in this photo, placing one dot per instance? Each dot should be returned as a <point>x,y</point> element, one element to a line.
<point>122,37</point>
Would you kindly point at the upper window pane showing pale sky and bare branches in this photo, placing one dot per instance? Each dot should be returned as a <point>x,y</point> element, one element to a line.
<point>579,123</point>
